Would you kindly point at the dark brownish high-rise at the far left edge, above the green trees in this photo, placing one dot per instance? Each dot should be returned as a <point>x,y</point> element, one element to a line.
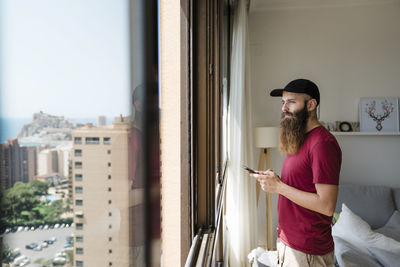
<point>17,164</point>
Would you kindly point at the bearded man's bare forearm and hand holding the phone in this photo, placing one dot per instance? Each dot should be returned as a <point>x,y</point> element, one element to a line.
<point>323,201</point>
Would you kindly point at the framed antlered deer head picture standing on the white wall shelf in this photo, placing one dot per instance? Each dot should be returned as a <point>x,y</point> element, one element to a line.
<point>379,114</point>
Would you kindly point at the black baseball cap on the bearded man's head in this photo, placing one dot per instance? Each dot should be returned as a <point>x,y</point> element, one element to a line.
<point>299,86</point>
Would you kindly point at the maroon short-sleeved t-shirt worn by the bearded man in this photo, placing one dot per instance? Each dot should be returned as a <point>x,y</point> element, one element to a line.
<point>317,162</point>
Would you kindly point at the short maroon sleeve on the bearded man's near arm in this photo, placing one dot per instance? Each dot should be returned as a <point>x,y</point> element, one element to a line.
<point>326,160</point>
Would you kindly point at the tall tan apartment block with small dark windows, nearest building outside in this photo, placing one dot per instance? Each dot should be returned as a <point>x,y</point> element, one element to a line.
<point>101,193</point>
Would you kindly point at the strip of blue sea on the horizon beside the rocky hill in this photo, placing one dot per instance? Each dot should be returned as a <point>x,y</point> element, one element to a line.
<point>9,127</point>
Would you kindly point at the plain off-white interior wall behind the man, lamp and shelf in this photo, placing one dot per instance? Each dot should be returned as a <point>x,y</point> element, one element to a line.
<point>350,51</point>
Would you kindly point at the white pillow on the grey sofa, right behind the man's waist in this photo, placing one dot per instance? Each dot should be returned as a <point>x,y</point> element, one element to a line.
<point>356,231</point>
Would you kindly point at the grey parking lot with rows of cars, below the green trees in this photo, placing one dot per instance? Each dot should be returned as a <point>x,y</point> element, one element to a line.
<point>21,239</point>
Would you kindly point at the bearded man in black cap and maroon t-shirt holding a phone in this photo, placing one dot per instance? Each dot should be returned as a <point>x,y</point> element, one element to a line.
<point>308,187</point>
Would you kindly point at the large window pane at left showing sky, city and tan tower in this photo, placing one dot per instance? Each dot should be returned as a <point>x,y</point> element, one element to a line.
<point>77,111</point>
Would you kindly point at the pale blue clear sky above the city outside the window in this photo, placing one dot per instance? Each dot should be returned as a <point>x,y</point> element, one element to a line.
<point>64,57</point>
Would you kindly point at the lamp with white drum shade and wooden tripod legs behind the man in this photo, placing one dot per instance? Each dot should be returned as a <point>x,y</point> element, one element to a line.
<point>266,138</point>
